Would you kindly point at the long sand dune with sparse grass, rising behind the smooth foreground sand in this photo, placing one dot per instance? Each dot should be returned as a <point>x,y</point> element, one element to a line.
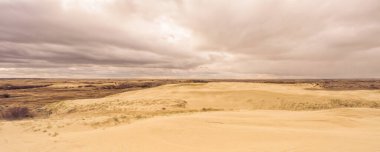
<point>221,96</point>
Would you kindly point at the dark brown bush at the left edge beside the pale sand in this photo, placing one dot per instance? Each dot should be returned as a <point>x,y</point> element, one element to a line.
<point>15,113</point>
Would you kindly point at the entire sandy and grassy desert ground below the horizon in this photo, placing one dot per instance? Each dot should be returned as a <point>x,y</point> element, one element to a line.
<point>190,115</point>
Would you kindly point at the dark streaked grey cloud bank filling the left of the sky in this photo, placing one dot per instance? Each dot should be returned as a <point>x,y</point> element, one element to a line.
<point>46,32</point>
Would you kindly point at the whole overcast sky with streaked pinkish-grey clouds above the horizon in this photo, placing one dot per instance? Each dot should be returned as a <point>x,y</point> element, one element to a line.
<point>239,39</point>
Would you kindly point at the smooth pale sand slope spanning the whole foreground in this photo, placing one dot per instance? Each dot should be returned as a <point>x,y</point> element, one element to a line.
<point>239,131</point>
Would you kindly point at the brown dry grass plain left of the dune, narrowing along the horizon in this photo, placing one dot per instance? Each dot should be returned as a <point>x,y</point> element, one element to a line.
<point>36,93</point>
